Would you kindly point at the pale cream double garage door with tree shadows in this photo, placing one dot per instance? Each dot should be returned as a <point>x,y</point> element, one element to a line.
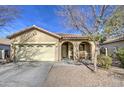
<point>37,52</point>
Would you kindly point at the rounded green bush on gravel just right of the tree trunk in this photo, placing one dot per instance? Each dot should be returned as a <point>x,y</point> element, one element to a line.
<point>104,61</point>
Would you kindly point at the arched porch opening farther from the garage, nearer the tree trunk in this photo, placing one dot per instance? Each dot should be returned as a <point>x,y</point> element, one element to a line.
<point>85,50</point>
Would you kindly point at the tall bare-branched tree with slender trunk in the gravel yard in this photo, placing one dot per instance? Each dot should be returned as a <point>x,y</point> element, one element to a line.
<point>89,20</point>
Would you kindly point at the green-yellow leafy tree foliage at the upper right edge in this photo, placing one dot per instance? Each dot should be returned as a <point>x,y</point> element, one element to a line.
<point>115,24</point>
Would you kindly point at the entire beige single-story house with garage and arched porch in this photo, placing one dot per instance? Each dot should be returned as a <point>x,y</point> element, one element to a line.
<point>37,44</point>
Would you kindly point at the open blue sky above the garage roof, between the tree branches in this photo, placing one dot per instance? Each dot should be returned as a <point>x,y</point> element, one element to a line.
<point>43,16</point>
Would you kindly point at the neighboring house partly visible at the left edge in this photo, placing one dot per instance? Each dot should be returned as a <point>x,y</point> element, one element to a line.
<point>4,48</point>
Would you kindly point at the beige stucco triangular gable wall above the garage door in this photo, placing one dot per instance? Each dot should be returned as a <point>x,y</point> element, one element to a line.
<point>34,36</point>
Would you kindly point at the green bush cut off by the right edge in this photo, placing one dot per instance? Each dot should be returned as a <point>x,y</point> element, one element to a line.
<point>120,56</point>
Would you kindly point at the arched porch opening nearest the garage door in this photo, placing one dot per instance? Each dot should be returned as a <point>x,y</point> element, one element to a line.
<point>67,50</point>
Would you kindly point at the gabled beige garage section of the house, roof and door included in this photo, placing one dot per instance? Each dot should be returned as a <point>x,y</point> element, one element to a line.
<point>35,44</point>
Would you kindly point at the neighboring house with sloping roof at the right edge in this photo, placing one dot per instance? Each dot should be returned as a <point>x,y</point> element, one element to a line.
<point>112,45</point>
